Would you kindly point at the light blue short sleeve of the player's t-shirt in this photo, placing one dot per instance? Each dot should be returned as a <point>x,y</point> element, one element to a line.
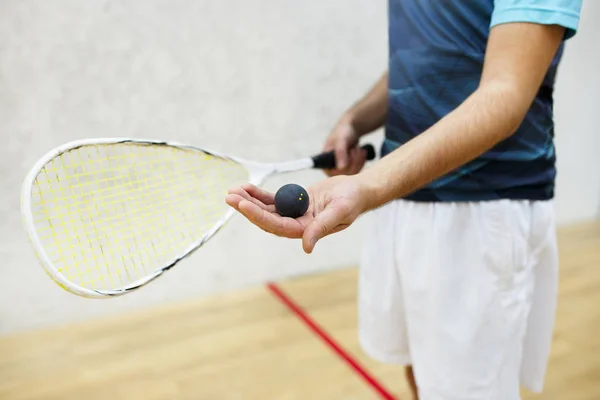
<point>565,13</point>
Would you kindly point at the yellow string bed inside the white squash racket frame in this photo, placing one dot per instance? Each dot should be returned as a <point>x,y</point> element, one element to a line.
<point>108,215</point>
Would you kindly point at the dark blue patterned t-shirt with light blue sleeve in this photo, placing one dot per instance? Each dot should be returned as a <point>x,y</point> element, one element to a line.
<point>436,55</point>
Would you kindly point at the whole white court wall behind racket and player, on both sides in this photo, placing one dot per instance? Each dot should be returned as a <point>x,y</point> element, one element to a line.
<point>262,79</point>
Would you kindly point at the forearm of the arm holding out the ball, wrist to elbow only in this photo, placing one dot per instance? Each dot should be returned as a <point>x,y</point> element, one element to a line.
<point>488,116</point>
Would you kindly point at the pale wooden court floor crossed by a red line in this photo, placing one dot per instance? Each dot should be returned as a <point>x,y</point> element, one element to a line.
<point>251,345</point>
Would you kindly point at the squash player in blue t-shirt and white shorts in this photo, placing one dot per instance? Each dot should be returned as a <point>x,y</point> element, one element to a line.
<point>458,279</point>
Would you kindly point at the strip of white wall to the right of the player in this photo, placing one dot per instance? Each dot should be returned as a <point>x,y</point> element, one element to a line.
<point>577,116</point>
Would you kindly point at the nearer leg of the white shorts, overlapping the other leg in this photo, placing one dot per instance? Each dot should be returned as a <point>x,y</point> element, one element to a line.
<point>467,287</point>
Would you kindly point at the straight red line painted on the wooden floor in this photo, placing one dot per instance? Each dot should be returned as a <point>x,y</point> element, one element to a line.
<point>329,340</point>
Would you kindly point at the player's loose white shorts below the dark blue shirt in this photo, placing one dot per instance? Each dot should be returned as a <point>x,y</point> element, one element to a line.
<point>464,292</point>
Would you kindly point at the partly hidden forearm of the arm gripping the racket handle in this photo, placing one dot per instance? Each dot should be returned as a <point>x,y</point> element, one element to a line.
<point>369,113</point>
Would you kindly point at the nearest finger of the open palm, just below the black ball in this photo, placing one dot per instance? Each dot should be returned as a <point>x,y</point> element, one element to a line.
<point>270,222</point>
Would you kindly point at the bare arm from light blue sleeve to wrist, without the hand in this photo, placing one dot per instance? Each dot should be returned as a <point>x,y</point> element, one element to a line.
<point>517,59</point>
